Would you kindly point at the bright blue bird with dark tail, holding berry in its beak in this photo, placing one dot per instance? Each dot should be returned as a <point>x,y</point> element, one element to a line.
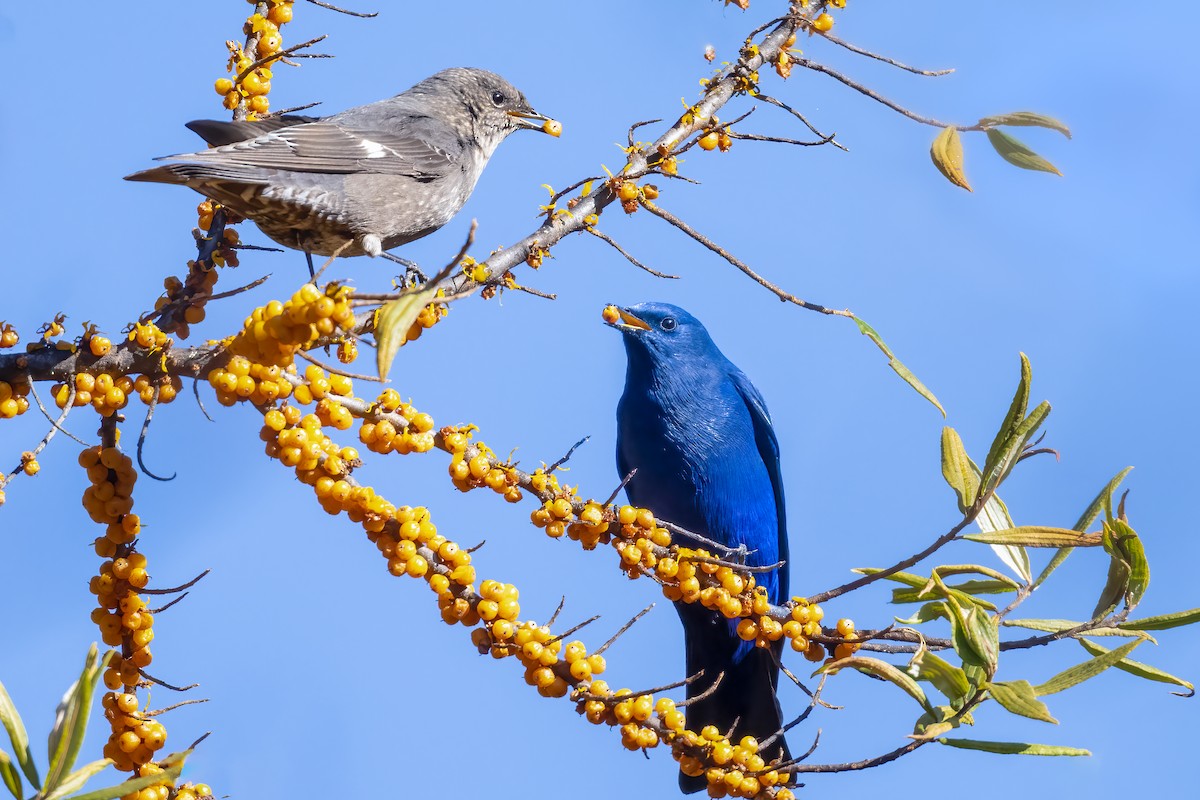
<point>700,437</point>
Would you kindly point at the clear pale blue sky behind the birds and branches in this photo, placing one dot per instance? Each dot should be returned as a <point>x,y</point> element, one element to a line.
<point>329,678</point>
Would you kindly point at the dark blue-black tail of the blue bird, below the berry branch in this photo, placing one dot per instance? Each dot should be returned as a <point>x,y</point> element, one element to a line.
<point>746,694</point>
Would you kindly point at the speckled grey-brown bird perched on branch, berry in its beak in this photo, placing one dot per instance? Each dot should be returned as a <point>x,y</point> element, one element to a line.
<point>368,179</point>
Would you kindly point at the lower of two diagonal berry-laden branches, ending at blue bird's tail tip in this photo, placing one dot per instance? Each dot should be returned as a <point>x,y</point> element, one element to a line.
<point>410,543</point>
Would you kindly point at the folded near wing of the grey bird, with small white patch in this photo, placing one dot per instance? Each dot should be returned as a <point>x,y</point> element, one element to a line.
<point>329,148</point>
